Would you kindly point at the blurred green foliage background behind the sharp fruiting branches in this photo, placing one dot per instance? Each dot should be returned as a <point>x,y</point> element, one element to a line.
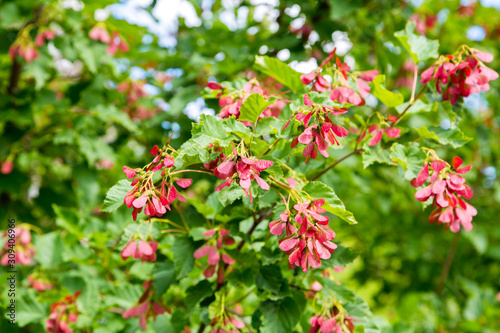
<point>55,128</point>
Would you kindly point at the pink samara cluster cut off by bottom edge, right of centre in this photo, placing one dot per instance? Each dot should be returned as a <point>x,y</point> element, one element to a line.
<point>331,322</point>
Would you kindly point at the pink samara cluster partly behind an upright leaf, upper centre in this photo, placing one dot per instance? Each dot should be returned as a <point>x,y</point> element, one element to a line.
<point>231,100</point>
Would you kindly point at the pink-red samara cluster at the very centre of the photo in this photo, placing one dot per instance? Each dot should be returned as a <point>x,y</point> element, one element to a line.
<point>237,167</point>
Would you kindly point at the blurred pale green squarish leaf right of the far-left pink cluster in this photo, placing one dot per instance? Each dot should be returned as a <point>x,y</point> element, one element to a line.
<point>49,248</point>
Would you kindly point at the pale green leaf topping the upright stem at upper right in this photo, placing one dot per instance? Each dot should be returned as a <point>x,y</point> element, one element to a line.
<point>419,47</point>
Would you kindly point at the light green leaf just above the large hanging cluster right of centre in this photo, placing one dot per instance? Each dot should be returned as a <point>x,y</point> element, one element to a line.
<point>319,190</point>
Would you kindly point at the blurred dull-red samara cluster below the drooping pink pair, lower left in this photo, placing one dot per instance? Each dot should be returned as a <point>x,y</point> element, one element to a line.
<point>146,306</point>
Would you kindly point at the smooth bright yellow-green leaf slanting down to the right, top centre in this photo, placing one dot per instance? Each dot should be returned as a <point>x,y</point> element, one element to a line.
<point>280,71</point>
